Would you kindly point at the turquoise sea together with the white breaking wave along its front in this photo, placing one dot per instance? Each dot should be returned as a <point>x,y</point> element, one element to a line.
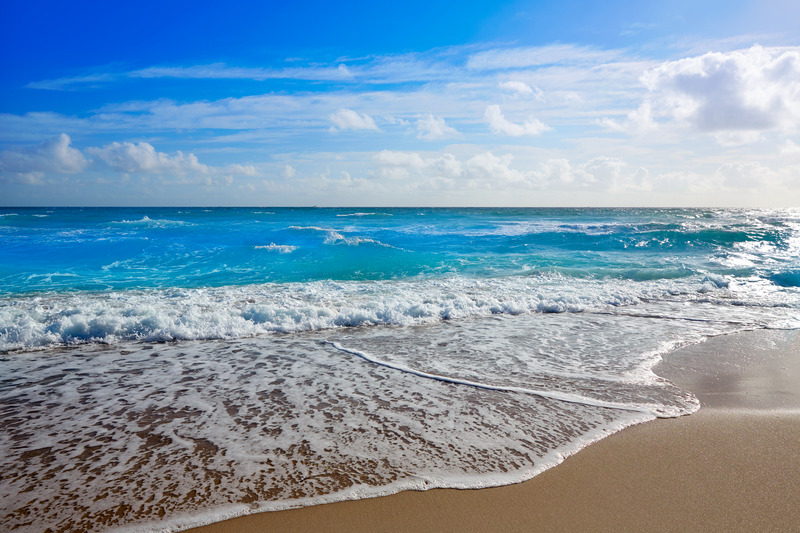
<point>77,275</point>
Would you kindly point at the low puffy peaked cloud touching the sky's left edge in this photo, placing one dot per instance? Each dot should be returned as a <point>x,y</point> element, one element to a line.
<point>51,155</point>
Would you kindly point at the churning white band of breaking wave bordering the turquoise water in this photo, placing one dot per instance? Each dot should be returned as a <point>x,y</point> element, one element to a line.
<point>244,311</point>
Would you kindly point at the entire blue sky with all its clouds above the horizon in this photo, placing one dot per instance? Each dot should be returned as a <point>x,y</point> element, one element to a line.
<point>525,103</point>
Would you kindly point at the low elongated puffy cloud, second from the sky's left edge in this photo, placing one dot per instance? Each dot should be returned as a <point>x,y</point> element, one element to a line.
<point>143,157</point>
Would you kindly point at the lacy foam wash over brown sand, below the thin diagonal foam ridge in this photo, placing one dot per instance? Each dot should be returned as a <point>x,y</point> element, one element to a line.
<point>185,429</point>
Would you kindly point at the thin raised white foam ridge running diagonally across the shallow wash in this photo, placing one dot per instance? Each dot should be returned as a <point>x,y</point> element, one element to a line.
<point>571,398</point>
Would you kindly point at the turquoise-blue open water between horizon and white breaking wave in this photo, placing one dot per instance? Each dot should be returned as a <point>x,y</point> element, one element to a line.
<point>100,249</point>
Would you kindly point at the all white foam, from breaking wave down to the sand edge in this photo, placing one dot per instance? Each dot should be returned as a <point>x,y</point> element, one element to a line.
<point>199,431</point>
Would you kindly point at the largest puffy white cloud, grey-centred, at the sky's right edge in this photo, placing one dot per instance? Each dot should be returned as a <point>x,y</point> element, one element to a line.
<point>753,90</point>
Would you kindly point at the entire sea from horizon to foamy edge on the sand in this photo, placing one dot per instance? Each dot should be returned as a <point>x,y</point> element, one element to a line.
<point>161,368</point>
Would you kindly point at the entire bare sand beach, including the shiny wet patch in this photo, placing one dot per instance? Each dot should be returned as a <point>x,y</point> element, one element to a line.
<point>732,466</point>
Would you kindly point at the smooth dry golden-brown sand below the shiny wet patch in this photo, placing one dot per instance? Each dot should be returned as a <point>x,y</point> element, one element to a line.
<point>614,484</point>
